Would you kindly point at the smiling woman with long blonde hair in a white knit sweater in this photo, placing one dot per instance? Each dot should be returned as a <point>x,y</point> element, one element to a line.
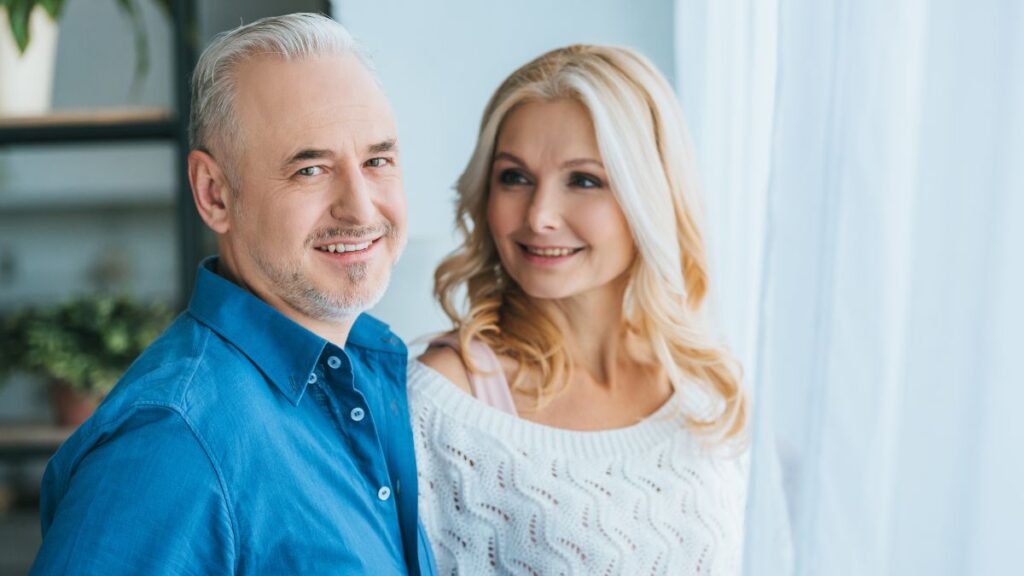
<point>578,420</point>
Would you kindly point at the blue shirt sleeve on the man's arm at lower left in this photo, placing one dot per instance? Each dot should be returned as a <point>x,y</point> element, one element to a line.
<point>142,499</point>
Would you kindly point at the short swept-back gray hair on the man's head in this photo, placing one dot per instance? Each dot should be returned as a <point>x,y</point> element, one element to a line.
<point>214,120</point>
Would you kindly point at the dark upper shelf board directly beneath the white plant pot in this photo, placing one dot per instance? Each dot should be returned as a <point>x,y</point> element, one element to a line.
<point>101,126</point>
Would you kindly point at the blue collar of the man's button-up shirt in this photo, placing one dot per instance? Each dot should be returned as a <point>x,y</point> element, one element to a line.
<point>284,351</point>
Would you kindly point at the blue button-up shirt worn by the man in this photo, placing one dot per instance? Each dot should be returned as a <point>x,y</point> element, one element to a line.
<point>241,443</point>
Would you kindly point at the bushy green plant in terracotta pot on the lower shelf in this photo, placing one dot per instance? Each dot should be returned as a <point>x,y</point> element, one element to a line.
<point>80,348</point>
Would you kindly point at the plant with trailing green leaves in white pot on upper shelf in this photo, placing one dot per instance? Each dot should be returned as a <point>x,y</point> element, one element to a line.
<point>27,75</point>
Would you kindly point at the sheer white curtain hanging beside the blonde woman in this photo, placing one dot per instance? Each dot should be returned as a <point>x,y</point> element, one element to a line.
<point>865,172</point>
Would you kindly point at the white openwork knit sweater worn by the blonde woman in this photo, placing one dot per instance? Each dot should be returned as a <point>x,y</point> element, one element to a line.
<point>503,496</point>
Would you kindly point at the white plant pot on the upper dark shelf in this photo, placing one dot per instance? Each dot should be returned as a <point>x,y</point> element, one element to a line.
<point>27,80</point>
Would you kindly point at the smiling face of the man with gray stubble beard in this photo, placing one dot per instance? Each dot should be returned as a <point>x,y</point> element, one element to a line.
<point>319,219</point>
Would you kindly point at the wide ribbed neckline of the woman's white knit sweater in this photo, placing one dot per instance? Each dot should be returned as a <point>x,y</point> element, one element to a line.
<point>663,425</point>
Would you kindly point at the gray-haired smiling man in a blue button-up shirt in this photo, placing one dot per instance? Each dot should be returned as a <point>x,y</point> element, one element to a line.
<point>267,432</point>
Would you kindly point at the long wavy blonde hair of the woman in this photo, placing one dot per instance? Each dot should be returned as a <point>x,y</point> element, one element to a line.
<point>647,153</point>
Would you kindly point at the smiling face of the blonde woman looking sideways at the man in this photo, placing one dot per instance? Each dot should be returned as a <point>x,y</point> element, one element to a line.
<point>559,229</point>
